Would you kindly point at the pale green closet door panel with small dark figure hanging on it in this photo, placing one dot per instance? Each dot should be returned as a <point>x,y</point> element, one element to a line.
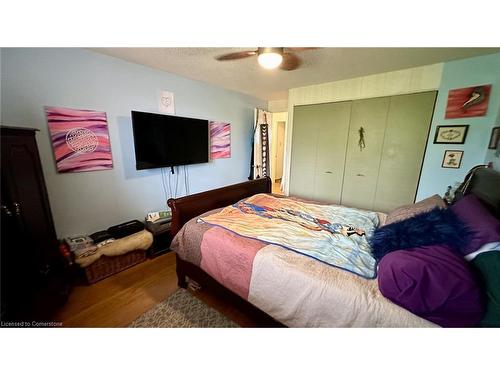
<point>364,151</point>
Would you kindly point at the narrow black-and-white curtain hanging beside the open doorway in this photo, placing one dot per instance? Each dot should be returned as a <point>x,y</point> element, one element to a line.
<point>260,158</point>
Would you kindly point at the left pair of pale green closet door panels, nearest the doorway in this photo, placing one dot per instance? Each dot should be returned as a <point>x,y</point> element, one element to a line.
<point>319,142</point>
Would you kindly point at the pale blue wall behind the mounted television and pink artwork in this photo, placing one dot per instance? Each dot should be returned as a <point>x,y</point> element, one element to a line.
<point>89,201</point>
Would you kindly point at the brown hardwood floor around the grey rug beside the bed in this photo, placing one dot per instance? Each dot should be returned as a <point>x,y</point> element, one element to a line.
<point>121,298</point>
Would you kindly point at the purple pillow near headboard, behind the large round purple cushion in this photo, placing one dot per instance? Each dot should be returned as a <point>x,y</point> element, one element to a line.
<point>484,226</point>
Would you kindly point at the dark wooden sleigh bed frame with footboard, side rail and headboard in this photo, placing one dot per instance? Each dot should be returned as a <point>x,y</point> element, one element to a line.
<point>484,184</point>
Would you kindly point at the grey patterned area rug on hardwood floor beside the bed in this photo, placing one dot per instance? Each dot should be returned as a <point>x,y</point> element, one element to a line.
<point>182,310</point>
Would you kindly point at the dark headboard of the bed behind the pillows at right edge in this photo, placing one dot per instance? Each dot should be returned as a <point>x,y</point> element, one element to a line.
<point>485,185</point>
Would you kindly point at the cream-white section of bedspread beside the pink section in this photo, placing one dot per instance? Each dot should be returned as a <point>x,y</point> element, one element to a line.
<point>313,294</point>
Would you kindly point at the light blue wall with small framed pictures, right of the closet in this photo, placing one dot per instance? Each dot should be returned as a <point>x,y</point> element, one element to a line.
<point>457,74</point>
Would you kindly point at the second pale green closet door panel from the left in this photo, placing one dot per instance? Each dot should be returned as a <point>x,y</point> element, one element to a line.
<point>333,129</point>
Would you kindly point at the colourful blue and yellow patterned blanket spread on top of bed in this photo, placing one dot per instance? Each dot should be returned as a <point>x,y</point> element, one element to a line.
<point>332,234</point>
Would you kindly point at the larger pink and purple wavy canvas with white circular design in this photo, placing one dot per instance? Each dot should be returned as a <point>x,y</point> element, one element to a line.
<point>80,139</point>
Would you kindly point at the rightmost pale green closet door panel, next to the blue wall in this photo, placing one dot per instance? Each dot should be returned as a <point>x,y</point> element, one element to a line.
<point>406,134</point>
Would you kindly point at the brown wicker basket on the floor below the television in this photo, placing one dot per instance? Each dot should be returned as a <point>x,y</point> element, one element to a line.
<point>106,266</point>
